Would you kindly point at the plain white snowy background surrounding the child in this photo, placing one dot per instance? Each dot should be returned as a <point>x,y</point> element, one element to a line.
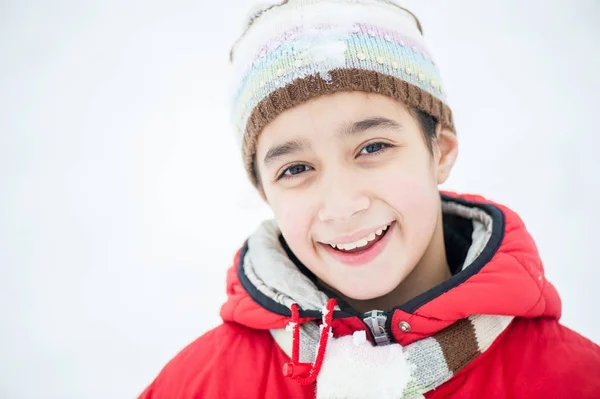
<point>123,198</point>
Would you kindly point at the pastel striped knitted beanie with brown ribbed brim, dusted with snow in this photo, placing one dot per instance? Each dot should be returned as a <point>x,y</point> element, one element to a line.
<point>297,50</point>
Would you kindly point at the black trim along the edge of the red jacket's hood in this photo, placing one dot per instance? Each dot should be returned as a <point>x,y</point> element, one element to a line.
<point>412,305</point>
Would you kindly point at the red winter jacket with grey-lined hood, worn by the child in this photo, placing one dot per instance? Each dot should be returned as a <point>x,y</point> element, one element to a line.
<point>534,356</point>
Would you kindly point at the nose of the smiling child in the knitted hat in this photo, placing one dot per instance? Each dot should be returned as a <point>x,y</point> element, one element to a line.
<point>342,198</point>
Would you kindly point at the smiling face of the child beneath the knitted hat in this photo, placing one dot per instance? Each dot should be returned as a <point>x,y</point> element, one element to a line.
<point>353,188</point>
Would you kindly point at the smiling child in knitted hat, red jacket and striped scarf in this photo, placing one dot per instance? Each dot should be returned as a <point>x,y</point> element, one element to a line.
<point>369,282</point>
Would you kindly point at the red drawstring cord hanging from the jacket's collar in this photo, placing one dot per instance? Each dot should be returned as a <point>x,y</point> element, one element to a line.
<point>306,373</point>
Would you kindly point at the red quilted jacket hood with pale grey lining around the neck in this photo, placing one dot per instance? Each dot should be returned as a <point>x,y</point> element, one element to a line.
<point>502,275</point>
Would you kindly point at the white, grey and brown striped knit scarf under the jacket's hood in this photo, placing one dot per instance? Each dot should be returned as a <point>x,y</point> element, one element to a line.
<point>353,368</point>
